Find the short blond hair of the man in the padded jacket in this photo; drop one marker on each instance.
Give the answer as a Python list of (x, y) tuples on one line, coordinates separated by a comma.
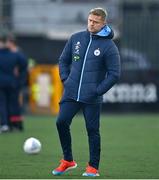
[(99, 12)]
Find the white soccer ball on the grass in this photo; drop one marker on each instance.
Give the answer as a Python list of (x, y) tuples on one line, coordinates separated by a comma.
[(32, 146)]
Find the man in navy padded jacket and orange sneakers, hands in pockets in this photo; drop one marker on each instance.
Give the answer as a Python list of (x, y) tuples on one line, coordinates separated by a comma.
[(89, 67)]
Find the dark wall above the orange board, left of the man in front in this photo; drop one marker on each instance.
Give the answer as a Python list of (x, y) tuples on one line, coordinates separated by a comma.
[(43, 50)]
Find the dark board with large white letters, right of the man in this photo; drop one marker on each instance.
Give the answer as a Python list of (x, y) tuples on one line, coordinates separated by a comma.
[(137, 91)]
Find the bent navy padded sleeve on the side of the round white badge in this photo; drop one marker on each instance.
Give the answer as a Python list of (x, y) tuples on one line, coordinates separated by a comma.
[(112, 62)]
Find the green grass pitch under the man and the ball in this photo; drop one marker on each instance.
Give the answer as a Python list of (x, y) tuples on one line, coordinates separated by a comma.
[(130, 148)]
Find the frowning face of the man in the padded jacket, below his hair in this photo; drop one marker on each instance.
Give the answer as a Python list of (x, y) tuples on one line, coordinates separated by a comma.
[(95, 23)]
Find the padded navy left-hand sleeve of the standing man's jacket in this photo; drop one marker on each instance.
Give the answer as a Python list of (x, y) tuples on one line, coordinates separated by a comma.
[(65, 60)]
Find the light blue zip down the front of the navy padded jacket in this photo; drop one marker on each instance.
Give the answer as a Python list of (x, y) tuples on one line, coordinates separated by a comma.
[(85, 57)]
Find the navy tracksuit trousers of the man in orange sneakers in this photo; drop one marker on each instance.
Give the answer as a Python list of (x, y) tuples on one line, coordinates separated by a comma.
[(91, 113)]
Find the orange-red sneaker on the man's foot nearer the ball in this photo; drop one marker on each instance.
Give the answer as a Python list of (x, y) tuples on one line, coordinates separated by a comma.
[(64, 166)]
